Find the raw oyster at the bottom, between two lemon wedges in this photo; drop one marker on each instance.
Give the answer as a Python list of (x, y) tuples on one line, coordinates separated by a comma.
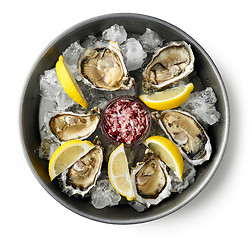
[(150, 180)]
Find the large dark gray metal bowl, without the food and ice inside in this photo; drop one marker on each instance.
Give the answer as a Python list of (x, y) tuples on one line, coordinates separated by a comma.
[(134, 23)]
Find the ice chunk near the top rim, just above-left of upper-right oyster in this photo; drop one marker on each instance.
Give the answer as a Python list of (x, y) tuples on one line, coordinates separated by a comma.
[(150, 41)]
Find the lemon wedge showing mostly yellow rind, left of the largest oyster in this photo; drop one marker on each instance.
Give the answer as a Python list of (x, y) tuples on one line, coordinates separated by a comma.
[(68, 82)]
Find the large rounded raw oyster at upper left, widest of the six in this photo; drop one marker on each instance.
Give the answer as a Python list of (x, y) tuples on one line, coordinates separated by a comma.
[(101, 66)]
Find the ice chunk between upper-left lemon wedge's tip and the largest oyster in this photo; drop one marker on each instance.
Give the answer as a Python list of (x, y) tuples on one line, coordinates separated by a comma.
[(72, 53)]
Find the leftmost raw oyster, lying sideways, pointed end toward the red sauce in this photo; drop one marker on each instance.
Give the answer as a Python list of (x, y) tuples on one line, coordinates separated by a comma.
[(65, 126)]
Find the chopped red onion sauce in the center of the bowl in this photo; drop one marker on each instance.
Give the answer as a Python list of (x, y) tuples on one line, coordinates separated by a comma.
[(125, 121)]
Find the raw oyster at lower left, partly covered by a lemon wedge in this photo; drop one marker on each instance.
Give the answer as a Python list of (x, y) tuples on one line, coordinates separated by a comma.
[(83, 174)]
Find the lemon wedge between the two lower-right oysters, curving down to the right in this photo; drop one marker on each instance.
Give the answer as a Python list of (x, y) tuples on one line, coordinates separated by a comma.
[(168, 152)]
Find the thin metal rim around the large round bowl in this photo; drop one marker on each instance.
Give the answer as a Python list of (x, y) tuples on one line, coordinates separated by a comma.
[(226, 109)]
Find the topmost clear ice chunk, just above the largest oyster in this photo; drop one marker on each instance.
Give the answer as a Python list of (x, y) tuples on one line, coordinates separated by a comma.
[(116, 33)]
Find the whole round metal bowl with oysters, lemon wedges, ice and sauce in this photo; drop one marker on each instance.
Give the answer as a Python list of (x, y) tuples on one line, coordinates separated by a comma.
[(124, 118)]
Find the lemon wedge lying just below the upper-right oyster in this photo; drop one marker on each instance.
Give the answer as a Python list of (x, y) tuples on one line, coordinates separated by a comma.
[(167, 99)]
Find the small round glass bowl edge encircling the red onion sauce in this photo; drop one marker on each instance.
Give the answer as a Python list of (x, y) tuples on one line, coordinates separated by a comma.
[(142, 137)]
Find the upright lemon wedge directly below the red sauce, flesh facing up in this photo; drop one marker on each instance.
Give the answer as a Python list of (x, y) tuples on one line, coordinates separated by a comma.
[(118, 172)]
